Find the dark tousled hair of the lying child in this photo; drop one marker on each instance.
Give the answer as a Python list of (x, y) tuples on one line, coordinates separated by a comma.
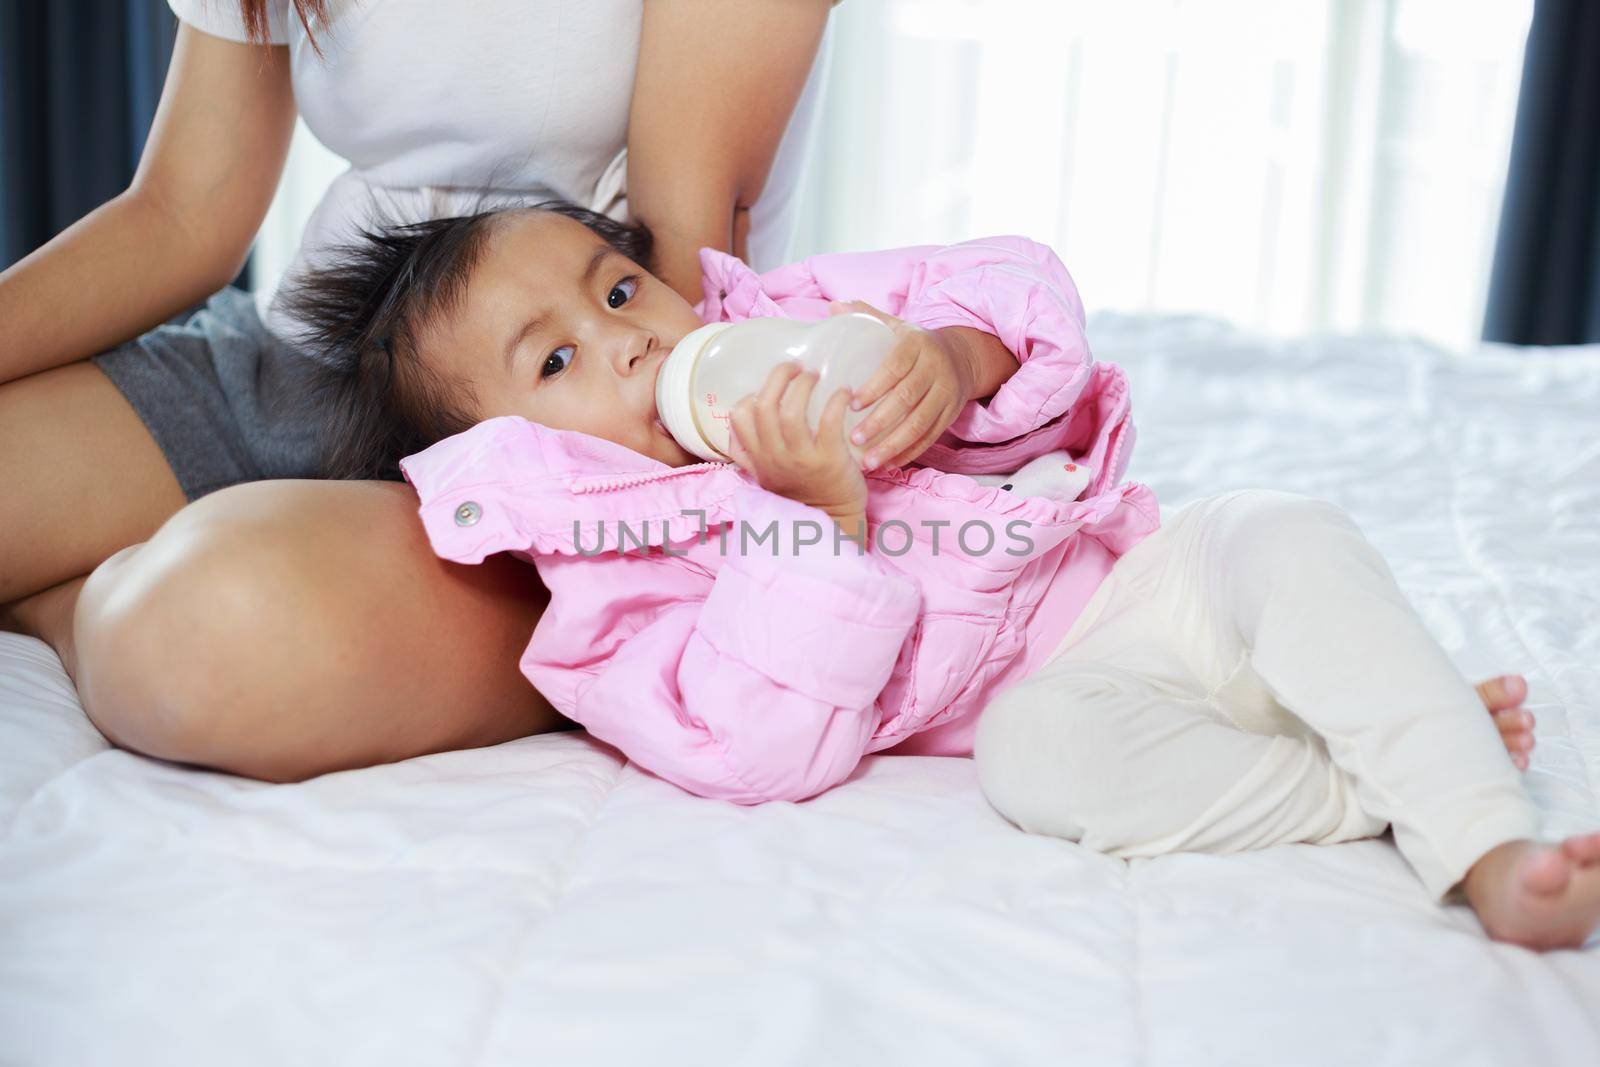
[(366, 308)]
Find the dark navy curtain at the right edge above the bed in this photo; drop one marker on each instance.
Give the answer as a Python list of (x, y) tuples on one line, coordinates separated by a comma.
[(1546, 282)]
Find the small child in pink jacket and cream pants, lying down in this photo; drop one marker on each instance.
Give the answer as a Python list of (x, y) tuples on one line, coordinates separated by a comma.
[(1244, 676)]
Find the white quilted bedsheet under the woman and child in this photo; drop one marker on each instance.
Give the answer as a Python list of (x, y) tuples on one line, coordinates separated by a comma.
[(545, 903)]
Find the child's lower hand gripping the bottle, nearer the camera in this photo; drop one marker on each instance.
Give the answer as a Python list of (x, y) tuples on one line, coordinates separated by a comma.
[(772, 441)]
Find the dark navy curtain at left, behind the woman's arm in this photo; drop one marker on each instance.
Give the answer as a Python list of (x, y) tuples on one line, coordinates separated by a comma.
[(79, 84)]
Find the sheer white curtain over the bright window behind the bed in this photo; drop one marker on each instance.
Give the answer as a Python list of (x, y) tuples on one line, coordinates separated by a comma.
[(1292, 166)]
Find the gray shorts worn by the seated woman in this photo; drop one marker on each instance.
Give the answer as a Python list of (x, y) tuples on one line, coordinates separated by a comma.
[(225, 399)]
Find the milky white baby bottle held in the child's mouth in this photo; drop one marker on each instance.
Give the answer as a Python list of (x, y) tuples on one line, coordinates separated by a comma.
[(721, 364)]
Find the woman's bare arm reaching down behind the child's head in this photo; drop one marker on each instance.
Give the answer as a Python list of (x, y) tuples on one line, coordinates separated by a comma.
[(706, 121)]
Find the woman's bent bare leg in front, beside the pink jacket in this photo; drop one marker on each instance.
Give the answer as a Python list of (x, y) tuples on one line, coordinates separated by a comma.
[(286, 629)]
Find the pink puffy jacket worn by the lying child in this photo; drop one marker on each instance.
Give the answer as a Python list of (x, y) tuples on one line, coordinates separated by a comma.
[(758, 663)]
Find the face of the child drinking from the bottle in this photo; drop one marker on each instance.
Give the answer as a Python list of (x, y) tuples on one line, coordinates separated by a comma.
[(561, 329)]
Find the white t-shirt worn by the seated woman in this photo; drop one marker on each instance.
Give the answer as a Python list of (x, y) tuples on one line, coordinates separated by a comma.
[(439, 105)]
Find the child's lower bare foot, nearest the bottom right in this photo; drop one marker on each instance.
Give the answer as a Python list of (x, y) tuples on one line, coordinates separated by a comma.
[(1540, 897)]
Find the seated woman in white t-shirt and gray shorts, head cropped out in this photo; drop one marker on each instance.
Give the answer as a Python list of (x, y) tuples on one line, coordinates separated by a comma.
[(289, 628)]
